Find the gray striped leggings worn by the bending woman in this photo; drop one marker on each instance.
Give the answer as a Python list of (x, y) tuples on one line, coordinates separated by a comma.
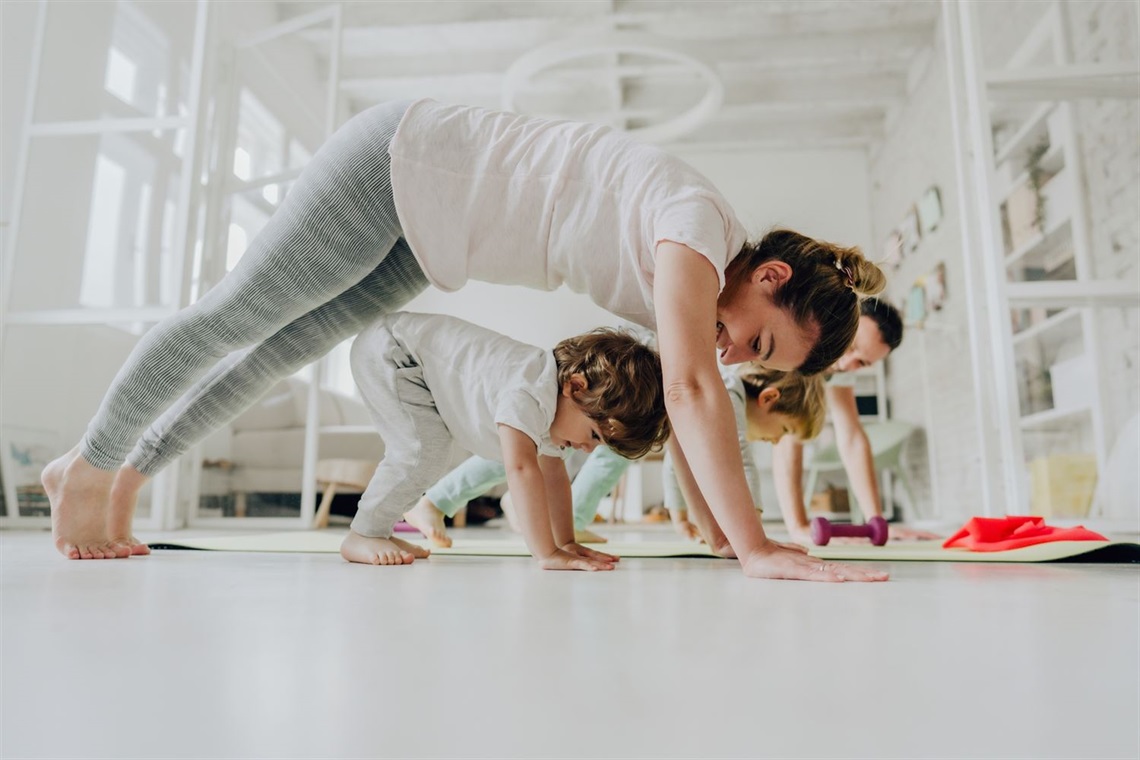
[(329, 263)]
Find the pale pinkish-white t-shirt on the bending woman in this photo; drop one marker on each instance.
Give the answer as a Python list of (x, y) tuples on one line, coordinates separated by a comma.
[(522, 201)]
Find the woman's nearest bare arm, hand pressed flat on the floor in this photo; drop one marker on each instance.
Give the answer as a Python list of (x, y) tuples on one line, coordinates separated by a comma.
[(685, 293)]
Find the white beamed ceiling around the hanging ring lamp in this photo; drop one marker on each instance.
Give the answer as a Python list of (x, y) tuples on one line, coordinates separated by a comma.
[(795, 73)]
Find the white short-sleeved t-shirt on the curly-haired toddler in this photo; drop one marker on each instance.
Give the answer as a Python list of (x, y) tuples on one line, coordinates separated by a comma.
[(481, 379)]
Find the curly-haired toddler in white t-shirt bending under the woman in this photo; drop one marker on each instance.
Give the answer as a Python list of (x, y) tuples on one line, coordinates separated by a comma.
[(428, 380)]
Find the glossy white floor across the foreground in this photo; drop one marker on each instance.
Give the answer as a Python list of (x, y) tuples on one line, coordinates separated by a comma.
[(194, 655)]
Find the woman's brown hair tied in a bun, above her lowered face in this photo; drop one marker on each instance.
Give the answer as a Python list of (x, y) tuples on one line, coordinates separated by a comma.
[(825, 289)]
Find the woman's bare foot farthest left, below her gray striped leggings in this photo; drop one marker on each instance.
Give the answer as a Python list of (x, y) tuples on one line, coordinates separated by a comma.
[(80, 495)]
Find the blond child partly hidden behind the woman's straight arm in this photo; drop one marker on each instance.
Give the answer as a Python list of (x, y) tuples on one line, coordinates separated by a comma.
[(770, 405)]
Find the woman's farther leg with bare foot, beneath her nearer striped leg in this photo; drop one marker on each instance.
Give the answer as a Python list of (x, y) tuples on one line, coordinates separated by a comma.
[(243, 378)]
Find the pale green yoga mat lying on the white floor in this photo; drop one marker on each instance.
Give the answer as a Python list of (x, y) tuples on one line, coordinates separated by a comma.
[(330, 543)]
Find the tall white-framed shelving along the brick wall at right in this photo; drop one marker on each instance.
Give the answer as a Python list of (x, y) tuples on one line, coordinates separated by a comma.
[(1023, 184)]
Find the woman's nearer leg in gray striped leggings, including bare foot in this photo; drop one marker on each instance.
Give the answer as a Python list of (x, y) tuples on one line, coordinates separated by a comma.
[(335, 227)]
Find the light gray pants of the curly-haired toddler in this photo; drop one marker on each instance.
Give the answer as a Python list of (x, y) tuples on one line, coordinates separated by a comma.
[(418, 445)]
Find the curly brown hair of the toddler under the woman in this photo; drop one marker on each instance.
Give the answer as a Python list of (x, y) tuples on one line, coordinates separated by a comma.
[(624, 389)]
